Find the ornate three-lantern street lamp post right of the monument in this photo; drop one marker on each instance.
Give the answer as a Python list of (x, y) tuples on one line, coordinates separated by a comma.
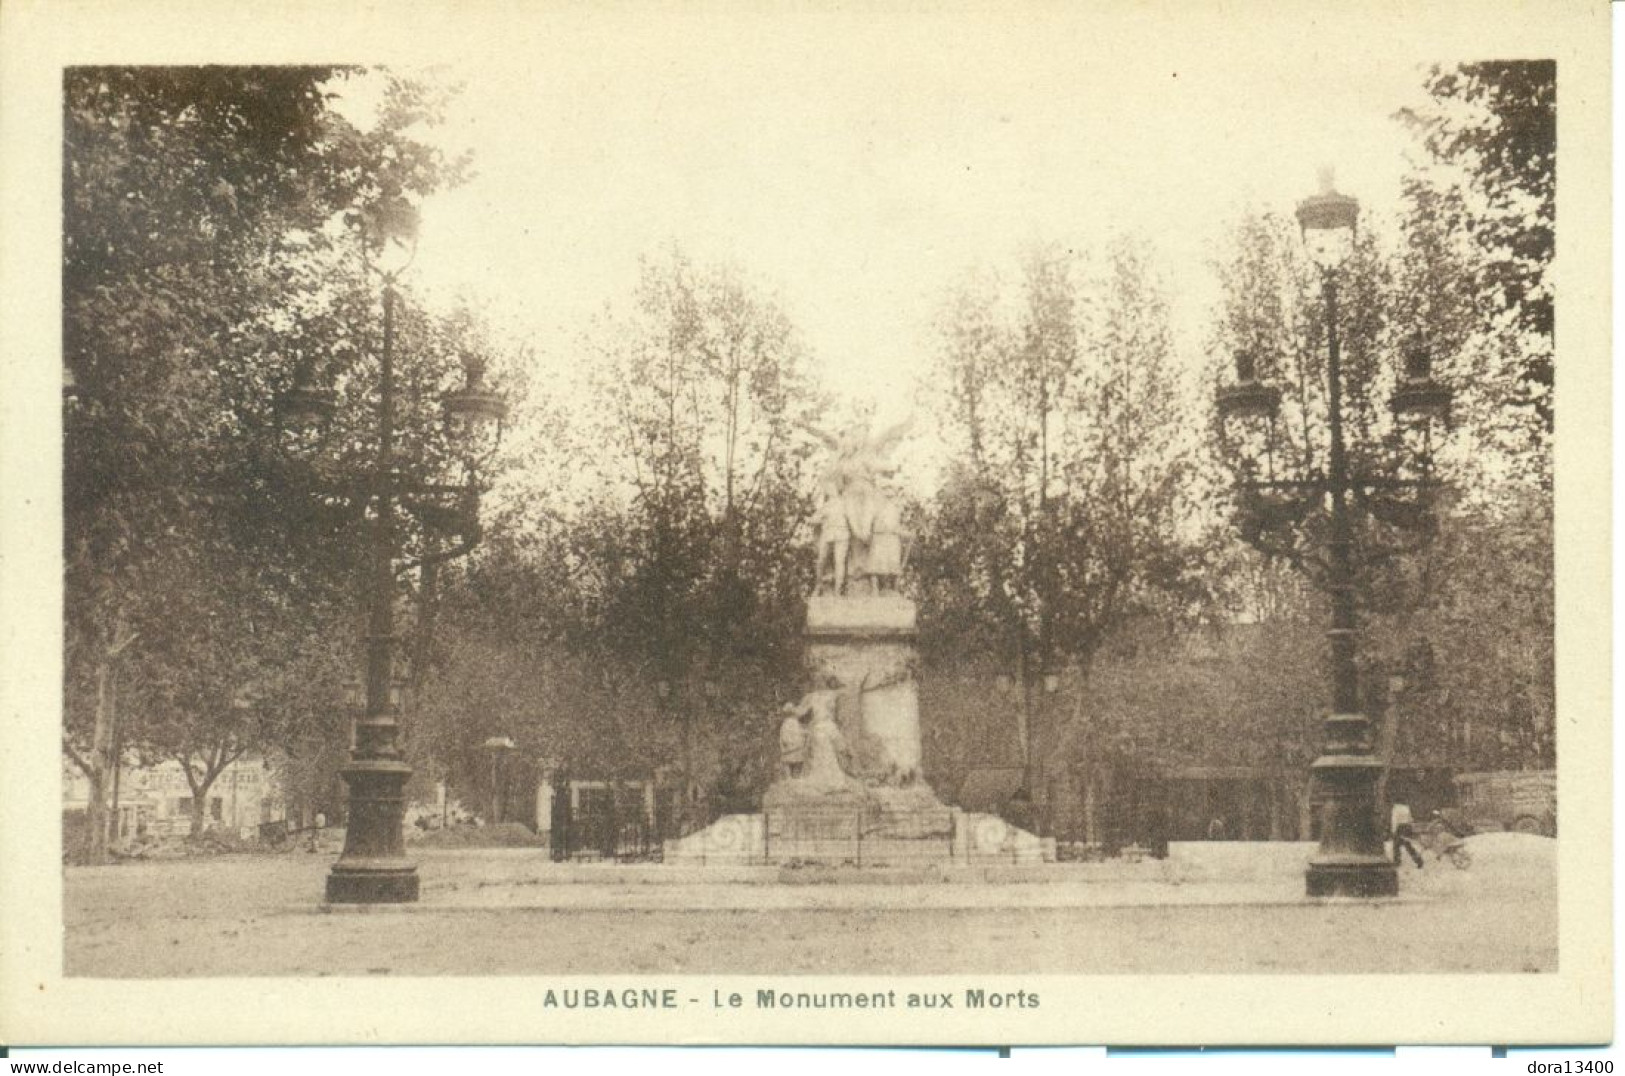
[(1351, 859)]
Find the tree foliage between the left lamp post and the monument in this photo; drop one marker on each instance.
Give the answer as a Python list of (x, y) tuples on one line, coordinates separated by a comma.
[(646, 602)]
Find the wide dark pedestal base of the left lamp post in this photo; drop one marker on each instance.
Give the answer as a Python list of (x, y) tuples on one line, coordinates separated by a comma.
[(375, 867)]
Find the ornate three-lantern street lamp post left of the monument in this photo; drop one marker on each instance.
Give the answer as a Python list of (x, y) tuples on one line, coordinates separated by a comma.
[(375, 867)]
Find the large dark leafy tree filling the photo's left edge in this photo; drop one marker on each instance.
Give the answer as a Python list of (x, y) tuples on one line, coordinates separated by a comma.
[(206, 259)]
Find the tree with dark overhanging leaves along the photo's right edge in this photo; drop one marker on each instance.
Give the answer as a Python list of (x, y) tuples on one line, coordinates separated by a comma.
[(1484, 193)]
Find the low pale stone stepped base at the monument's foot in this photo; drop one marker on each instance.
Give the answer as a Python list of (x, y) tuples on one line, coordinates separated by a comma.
[(875, 828)]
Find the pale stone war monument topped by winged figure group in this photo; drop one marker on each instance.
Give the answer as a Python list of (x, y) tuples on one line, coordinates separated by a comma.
[(849, 787)]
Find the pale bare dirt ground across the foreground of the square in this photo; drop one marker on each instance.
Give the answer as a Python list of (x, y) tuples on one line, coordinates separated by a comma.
[(1233, 909)]
